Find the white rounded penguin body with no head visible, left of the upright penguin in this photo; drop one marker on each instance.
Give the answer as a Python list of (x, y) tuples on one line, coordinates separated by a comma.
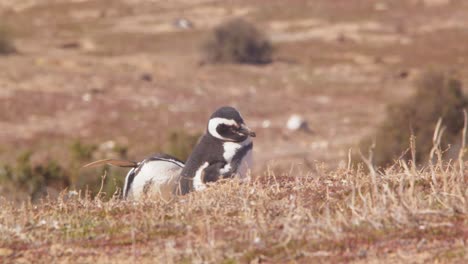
[(157, 174)]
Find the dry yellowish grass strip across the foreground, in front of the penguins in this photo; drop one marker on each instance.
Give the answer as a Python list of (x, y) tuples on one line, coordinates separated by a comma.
[(339, 215)]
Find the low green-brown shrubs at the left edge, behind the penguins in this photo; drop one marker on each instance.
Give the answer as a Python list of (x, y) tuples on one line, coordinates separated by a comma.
[(24, 178)]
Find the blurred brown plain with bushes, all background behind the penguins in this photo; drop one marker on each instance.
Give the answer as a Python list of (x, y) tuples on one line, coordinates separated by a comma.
[(87, 80)]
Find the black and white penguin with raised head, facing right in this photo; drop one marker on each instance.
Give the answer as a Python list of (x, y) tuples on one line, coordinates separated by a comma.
[(224, 151)]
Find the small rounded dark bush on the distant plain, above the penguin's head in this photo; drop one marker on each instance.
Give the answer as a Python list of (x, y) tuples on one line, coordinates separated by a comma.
[(238, 41)]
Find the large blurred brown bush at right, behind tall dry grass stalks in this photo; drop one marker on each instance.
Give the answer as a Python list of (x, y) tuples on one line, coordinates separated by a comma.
[(437, 96)]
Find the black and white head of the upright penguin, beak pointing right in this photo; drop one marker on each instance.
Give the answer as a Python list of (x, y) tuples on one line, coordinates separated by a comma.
[(227, 124)]
